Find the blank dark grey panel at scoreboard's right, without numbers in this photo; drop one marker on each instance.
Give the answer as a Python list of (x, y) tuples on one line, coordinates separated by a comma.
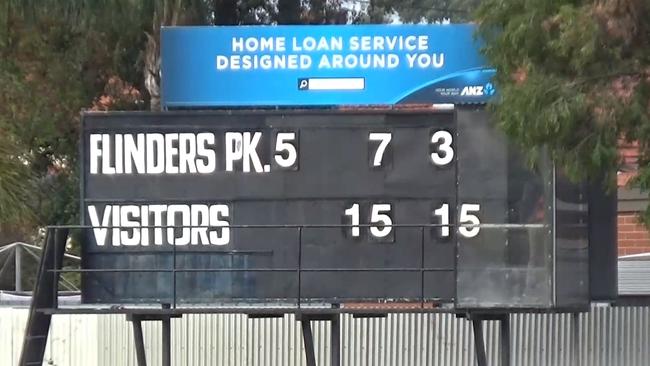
[(510, 264)]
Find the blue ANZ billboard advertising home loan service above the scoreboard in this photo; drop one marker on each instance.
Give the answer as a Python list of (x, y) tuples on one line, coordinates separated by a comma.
[(322, 65)]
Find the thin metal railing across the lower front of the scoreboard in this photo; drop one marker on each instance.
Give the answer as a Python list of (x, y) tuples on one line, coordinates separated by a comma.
[(298, 302)]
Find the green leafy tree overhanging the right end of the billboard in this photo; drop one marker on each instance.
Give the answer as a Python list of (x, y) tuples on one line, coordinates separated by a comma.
[(574, 77)]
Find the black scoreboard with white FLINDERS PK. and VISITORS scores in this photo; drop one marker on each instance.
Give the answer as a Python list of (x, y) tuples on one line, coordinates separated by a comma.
[(323, 205)]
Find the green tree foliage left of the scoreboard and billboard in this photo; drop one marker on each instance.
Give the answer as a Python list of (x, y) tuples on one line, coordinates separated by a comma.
[(54, 63)]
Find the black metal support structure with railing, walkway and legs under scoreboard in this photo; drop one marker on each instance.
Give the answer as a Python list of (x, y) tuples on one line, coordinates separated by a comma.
[(45, 304)]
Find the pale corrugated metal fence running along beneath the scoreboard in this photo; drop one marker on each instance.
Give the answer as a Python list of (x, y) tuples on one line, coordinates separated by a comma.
[(608, 336)]
